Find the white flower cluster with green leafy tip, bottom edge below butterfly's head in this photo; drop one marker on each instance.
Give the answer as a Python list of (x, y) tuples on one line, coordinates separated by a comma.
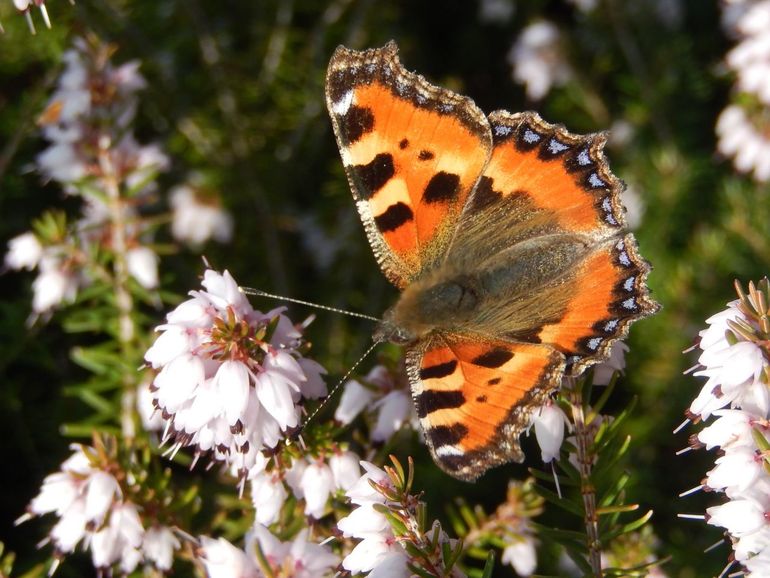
[(384, 519)]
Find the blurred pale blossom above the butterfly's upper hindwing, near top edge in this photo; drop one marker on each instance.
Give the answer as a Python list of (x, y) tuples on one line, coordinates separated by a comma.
[(538, 60)]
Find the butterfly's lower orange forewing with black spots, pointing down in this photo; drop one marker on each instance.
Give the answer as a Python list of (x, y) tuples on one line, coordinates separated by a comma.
[(474, 397)]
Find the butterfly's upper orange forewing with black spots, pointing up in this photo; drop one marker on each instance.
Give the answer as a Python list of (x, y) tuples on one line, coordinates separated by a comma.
[(413, 153)]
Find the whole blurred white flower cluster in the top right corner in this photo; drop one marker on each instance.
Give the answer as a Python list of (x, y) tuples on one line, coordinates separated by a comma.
[(742, 126)]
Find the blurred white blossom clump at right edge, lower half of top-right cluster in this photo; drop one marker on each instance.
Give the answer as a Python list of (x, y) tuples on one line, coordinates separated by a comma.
[(740, 137)]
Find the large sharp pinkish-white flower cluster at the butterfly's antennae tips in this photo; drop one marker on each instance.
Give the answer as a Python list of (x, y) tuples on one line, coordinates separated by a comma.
[(231, 380)]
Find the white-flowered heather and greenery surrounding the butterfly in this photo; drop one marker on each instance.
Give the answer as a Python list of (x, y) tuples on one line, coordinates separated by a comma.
[(157, 159)]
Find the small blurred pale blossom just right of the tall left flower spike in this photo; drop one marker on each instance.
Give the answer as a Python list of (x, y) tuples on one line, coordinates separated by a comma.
[(194, 222)]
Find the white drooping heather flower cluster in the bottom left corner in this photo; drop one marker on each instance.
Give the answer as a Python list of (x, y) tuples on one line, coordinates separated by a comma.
[(93, 510)]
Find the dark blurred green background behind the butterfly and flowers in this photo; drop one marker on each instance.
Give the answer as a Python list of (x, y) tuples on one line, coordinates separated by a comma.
[(235, 91)]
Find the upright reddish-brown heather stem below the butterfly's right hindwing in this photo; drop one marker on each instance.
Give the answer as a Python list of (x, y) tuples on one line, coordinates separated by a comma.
[(583, 439)]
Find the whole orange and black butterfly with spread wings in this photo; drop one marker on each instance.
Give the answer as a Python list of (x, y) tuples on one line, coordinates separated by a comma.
[(506, 236)]
